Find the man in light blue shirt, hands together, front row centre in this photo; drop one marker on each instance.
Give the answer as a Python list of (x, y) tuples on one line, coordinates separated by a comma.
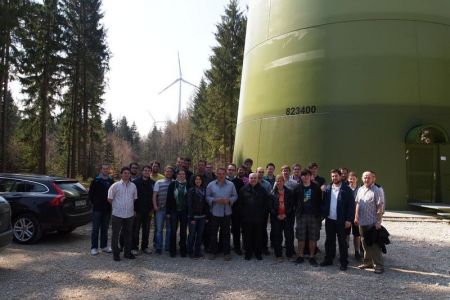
[(220, 194)]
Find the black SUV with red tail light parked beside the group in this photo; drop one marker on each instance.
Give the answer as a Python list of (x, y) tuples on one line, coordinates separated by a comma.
[(44, 203)]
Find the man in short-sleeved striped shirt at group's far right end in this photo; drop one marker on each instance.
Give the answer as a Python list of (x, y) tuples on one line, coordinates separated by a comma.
[(369, 211)]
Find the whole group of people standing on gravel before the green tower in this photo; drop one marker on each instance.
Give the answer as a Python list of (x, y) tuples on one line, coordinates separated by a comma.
[(205, 208)]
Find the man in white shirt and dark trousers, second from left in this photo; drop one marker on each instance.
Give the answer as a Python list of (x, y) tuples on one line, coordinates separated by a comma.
[(122, 195)]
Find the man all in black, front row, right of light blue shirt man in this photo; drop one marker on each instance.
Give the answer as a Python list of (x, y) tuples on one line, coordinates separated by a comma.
[(254, 203)]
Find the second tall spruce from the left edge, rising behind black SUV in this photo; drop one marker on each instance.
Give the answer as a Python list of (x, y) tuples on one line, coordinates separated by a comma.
[(41, 72)]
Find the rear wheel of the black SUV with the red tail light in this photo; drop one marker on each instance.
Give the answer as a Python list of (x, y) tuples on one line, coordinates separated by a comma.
[(26, 229)]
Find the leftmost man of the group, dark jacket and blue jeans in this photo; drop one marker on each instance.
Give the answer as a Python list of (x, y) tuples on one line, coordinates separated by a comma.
[(101, 213)]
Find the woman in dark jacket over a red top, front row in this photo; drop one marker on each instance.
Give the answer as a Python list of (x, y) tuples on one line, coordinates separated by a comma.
[(282, 212)]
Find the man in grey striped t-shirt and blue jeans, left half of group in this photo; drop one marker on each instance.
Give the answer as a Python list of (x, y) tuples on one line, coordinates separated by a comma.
[(159, 205)]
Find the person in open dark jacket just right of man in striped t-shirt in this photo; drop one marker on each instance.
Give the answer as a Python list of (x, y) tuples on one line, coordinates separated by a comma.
[(176, 210)]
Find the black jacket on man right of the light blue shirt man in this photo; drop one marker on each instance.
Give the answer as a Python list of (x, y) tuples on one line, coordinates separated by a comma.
[(254, 203)]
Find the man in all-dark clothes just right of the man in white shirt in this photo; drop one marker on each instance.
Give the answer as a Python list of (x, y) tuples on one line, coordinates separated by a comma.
[(143, 207)]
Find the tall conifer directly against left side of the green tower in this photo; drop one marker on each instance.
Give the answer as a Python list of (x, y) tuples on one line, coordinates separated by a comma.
[(213, 113)]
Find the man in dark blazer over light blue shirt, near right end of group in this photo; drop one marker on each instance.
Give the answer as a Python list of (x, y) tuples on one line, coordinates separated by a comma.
[(338, 210)]
